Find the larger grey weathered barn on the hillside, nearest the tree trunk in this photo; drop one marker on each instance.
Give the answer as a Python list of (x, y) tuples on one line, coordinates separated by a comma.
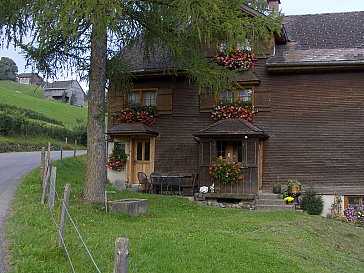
[(66, 91)]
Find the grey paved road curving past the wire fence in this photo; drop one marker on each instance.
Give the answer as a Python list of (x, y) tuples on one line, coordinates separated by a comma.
[(13, 167)]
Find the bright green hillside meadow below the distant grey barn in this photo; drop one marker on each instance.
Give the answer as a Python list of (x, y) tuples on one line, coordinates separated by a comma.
[(29, 97)]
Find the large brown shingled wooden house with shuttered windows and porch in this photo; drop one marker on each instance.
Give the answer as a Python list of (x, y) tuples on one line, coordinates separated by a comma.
[(309, 101)]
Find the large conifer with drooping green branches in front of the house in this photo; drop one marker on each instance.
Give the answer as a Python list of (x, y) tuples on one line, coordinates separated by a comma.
[(83, 35)]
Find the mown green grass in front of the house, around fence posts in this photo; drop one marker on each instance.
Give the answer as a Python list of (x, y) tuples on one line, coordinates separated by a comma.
[(175, 235)]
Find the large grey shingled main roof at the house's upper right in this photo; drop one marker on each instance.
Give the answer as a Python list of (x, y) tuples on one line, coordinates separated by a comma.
[(322, 39)]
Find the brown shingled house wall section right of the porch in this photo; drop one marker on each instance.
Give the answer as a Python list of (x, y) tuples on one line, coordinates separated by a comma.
[(316, 129)]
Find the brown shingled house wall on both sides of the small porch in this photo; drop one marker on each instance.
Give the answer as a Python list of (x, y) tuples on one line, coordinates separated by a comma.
[(315, 123)]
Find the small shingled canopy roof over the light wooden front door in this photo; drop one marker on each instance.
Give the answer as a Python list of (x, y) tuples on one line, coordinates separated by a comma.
[(127, 129)]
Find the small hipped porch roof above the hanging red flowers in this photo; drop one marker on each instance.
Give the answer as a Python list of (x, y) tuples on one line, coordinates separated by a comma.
[(232, 127)]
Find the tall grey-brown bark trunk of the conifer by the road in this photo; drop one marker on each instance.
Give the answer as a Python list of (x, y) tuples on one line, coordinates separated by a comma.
[(95, 179)]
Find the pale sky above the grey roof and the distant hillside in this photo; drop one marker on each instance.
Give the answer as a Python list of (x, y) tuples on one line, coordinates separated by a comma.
[(288, 7)]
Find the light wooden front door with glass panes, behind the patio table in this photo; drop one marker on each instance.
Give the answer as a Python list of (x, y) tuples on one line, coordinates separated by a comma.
[(143, 157)]
